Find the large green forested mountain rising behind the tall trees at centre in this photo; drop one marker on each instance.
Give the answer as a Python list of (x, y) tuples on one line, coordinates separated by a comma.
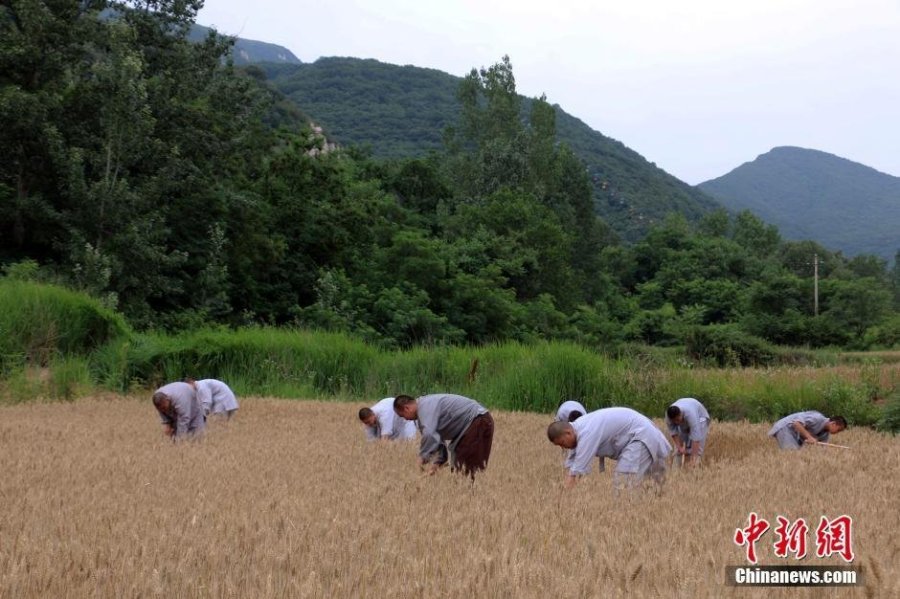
[(401, 112)]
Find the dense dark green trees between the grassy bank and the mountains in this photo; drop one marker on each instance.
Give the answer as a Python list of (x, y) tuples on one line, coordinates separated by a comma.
[(149, 171)]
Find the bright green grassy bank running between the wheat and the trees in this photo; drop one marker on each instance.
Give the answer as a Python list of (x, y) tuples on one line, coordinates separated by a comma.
[(59, 344)]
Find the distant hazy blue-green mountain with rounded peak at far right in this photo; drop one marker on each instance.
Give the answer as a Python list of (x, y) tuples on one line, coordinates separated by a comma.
[(810, 194)]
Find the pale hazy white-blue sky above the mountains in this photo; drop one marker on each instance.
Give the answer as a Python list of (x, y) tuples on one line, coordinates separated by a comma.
[(696, 86)]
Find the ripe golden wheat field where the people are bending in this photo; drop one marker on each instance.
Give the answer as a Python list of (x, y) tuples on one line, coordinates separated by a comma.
[(288, 500)]
